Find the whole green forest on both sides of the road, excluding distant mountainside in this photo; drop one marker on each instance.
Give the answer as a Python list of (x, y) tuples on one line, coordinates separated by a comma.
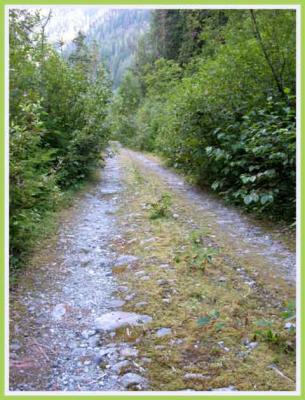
[(211, 91)]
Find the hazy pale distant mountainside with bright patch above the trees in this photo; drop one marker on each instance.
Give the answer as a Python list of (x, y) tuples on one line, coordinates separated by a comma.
[(116, 31)]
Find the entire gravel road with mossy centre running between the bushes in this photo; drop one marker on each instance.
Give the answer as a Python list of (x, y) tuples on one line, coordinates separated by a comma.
[(151, 284)]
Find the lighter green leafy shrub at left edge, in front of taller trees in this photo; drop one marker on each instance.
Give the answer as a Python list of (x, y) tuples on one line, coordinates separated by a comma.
[(33, 188)]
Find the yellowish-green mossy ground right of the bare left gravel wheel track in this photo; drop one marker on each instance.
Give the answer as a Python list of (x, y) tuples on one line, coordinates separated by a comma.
[(211, 311)]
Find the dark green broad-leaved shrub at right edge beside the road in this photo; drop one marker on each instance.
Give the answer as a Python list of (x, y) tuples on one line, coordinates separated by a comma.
[(254, 161)]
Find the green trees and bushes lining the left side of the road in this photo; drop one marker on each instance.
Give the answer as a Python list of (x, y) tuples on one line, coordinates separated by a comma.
[(57, 125)]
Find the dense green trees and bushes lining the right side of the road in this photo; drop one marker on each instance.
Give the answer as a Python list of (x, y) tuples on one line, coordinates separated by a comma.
[(213, 91)]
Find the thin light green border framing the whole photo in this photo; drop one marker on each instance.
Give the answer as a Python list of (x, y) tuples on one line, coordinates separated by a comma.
[(301, 193)]
